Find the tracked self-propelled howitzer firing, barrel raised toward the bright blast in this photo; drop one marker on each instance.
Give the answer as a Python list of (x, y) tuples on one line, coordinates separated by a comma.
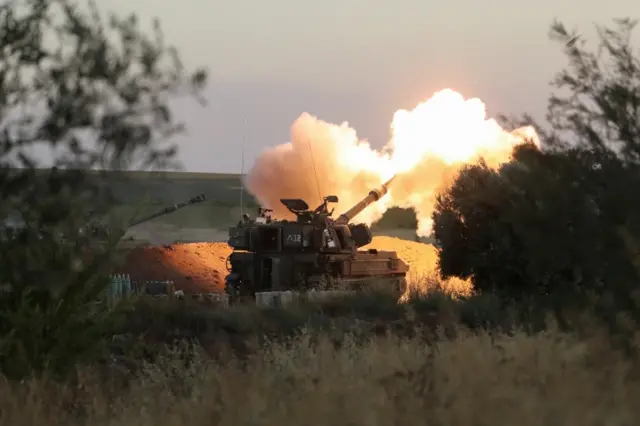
[(314, 252)]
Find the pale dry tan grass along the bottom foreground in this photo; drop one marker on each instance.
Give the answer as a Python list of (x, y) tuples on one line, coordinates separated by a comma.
[(476, 380)]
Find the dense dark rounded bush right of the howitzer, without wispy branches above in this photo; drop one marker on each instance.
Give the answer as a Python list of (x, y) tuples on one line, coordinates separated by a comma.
[(540, 225)]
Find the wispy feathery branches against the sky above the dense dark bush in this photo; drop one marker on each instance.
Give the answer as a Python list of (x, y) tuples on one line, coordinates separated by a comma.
[(597, 105)]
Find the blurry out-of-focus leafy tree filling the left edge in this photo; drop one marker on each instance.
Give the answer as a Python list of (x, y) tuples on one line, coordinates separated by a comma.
[(90, 93)]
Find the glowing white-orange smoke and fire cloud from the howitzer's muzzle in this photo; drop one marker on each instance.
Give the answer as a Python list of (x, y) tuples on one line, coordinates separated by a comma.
[(429, 146)]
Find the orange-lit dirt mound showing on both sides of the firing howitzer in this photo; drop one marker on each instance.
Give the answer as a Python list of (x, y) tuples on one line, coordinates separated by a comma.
[(201, 267)]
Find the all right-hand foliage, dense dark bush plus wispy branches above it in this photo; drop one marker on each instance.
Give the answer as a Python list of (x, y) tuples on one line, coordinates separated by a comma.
[(548, 224)]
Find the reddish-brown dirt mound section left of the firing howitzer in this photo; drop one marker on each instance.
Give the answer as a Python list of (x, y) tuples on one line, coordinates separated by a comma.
[(193, 267)]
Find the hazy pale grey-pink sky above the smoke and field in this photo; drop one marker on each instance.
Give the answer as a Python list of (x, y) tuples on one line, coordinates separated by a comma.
[(356, 61)]
